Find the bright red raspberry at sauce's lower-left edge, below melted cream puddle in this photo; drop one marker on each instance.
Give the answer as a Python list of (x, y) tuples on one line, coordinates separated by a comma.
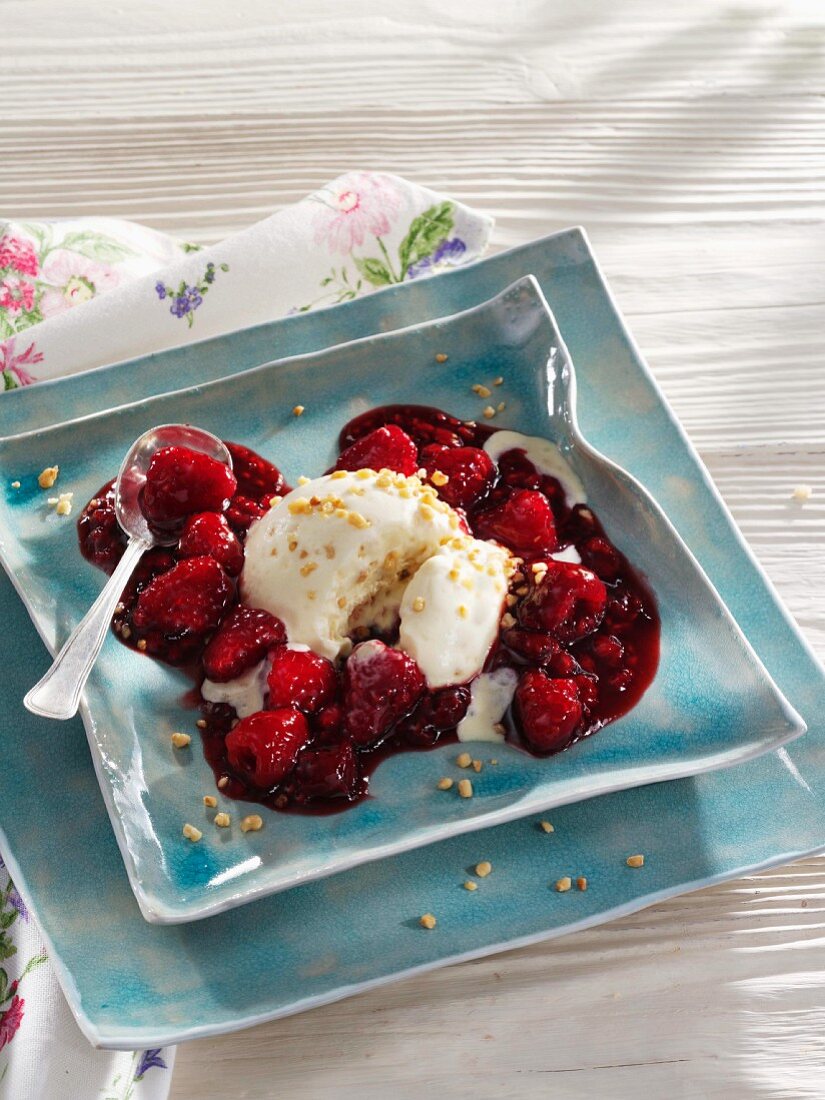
[(265, 746)]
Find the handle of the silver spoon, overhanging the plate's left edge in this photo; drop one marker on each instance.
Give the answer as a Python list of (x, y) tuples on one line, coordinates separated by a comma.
[(58, 695)]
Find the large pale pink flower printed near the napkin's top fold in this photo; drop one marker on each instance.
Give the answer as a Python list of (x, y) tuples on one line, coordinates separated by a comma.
[(354, 207)]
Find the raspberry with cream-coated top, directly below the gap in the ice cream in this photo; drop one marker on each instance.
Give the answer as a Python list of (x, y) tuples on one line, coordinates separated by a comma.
[(381, 687)]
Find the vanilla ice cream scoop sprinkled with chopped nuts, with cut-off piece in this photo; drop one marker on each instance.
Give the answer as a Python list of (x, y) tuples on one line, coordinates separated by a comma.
[(366, 548)]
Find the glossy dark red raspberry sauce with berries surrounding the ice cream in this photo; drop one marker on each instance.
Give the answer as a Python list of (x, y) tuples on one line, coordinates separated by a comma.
[(584, 640)]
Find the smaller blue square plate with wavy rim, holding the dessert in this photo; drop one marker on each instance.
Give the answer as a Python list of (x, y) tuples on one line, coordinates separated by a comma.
[(712, 703)]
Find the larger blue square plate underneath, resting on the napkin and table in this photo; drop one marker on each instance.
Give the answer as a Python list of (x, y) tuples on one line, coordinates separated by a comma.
[(133, 984)]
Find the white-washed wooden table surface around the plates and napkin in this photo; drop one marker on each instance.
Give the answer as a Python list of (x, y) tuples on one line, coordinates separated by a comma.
[(688, 139)]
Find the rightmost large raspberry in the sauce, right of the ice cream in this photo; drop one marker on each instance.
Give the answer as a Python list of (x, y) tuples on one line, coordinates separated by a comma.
[(569, 602)]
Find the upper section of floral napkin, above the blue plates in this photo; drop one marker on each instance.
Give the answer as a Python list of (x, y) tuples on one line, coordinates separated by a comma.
[(144, 292)]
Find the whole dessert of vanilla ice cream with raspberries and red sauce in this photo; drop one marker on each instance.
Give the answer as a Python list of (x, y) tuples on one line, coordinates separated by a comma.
[(444, 581)]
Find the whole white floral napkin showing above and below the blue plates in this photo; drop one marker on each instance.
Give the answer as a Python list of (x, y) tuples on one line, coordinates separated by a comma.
[(142, 292)]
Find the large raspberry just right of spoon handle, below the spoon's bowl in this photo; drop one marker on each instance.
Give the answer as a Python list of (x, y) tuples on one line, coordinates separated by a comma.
[(190, 600)]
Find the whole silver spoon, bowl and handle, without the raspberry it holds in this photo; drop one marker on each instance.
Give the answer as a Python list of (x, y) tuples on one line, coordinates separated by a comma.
[(58, 695)]
